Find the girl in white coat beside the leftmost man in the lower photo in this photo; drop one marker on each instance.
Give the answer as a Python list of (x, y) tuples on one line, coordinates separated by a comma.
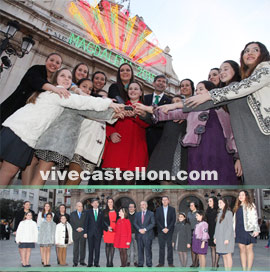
[(63, 238)]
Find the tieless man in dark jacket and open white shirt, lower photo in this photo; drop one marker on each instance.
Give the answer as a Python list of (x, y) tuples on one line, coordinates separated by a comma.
[(165, 218)]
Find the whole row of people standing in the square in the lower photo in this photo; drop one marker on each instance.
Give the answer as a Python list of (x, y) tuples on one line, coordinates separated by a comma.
[(133, 232)]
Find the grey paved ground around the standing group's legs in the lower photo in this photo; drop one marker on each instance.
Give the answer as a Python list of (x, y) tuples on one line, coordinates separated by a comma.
[(9, 255)]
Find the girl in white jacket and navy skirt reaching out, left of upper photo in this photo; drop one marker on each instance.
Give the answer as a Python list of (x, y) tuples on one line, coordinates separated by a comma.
[(18, 137)]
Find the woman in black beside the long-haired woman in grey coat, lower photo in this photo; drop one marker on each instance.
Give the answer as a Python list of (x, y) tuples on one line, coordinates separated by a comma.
[(211, 217)]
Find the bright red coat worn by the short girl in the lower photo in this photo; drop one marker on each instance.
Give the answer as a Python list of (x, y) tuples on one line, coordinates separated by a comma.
[(122, 233)]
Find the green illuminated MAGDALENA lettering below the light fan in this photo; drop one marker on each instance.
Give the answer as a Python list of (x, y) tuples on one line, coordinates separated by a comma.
[(103, 53)]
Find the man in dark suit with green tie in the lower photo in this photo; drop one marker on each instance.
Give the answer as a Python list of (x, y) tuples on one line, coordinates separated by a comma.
[(93, 230)]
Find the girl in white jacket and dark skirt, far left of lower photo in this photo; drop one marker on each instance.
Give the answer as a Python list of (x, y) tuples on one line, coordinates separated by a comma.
[(26, 237)]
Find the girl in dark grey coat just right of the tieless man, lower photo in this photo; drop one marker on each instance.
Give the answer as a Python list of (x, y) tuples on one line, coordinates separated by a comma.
[(182, 238)]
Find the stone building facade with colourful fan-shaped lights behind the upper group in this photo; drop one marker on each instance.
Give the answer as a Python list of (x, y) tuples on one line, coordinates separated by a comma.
[(100, 33)]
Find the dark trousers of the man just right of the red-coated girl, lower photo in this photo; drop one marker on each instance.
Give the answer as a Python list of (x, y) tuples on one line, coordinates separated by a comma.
[(144, 243)]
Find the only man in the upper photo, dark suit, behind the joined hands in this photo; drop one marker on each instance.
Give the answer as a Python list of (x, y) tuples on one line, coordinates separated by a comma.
[(154, 132)]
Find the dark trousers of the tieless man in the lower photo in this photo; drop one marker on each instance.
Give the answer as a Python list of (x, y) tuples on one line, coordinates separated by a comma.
[(164, 239)]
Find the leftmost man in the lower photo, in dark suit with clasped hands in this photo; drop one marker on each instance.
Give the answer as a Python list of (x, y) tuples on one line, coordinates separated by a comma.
[(77, 222)]
